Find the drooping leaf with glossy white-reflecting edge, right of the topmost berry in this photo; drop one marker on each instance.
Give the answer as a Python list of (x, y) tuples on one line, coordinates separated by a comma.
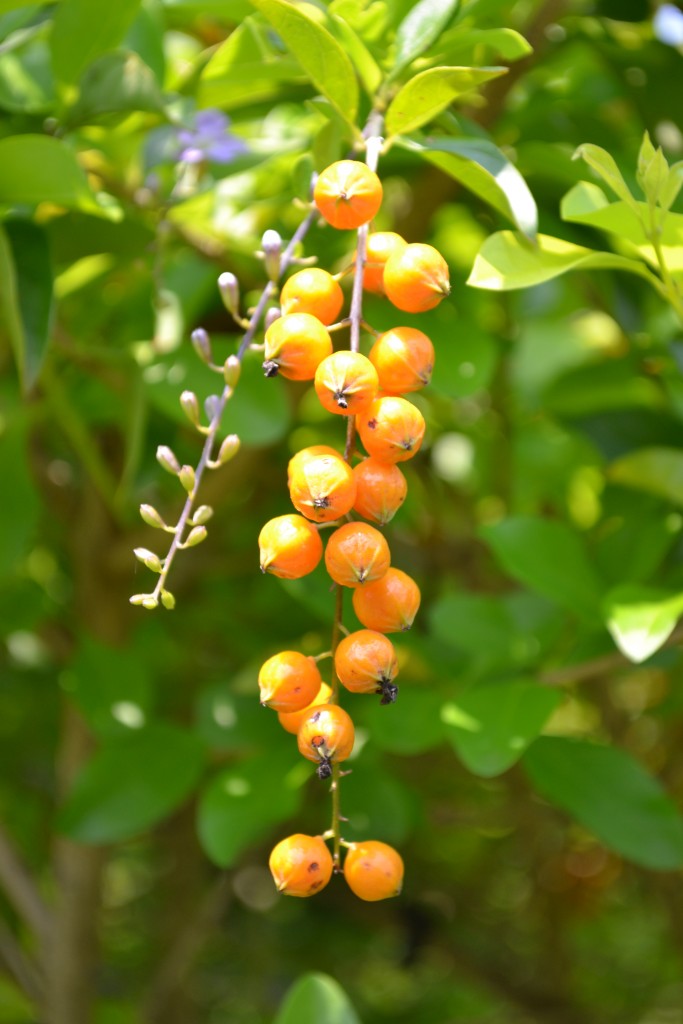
[(483, 168)]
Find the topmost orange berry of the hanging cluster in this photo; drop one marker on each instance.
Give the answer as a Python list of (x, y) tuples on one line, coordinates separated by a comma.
[(348, 194)]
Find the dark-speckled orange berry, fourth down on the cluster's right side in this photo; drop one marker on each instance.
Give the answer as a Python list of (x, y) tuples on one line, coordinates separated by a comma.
[(392, 430)]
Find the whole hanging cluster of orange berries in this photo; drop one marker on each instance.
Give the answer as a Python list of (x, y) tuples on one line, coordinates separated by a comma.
[(325, 488)]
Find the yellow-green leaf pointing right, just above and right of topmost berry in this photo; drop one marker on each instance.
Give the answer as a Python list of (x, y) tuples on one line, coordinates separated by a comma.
[(425, 96)]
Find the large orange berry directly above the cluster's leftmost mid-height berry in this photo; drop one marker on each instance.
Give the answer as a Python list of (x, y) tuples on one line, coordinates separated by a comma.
[(323, 489)]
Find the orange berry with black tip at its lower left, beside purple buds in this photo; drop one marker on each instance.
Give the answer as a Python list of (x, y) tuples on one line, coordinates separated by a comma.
[(294, 347)]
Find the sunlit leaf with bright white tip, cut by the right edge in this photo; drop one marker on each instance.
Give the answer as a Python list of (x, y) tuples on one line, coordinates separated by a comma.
[(642, 619)]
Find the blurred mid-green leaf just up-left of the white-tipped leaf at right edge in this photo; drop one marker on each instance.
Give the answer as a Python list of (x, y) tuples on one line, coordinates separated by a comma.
[(549, 558)]
